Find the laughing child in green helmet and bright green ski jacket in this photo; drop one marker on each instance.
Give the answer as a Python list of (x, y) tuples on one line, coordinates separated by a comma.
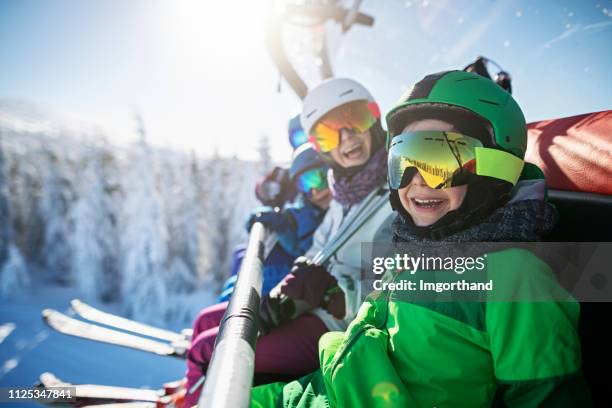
[(456, 171)]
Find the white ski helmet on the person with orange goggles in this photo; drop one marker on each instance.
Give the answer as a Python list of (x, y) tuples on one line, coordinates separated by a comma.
[(327, 96)]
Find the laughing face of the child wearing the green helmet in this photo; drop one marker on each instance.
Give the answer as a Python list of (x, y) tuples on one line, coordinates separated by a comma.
[(425, 204)]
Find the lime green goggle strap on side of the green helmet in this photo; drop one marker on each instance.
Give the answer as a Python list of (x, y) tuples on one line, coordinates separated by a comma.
[(498, 164)]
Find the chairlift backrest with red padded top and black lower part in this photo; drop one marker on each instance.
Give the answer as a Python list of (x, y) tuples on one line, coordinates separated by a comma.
[(575, 154)]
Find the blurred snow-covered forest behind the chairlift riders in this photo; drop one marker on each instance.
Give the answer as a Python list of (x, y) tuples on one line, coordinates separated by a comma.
[(148, 228)]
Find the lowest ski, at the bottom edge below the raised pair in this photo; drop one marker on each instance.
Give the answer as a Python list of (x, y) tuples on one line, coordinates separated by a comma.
[(94, 394)]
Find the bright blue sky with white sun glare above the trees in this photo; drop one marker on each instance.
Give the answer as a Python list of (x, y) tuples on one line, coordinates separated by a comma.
[(199, 72)]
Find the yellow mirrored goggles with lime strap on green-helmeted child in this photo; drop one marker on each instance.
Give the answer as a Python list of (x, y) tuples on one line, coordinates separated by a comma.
[(444, 159)]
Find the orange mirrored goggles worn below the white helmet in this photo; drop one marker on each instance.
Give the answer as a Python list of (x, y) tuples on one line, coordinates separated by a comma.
[(358, 116)]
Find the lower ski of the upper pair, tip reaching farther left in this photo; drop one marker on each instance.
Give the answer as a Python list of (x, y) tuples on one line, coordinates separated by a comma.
[(74, 327)]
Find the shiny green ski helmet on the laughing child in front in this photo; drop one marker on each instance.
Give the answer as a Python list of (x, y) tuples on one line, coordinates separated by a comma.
[(479, 101)]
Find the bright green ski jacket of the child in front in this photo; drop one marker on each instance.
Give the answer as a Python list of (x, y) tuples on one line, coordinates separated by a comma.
[(402, 353)]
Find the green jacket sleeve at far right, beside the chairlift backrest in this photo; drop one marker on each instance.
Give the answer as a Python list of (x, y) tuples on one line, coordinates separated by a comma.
[(534, 340)]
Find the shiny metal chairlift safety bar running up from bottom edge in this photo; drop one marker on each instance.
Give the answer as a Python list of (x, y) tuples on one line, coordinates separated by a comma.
[(230, 373)]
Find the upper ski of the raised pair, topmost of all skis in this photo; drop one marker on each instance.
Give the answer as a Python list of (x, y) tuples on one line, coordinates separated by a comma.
[(92, 314)]
